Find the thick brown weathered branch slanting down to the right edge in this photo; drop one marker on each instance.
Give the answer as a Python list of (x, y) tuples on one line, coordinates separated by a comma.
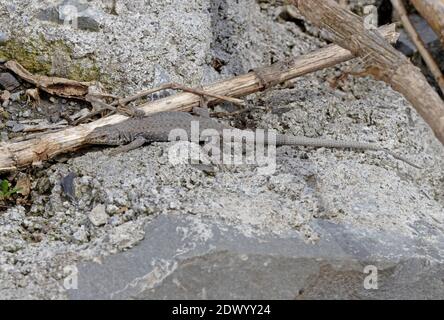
[(382, 60)]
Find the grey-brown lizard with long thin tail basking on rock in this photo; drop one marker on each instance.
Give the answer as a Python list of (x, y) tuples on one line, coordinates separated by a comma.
[(137, 131)]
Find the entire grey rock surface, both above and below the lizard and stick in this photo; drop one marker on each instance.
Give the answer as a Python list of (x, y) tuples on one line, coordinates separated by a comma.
[(309, 230)]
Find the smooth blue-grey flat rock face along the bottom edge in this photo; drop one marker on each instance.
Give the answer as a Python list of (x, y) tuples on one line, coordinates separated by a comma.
[(189, 258)]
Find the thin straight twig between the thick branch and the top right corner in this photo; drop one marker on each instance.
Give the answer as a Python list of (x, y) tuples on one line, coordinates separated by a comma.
[(428, 59)]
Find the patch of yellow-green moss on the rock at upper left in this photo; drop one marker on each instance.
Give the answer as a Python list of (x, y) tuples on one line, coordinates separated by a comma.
[(51, 58)]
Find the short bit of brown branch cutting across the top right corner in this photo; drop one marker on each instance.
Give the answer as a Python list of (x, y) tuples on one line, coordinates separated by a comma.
[(433, 12)]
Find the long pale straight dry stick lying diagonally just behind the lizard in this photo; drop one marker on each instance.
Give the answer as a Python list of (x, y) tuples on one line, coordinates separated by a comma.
[(15, 155)]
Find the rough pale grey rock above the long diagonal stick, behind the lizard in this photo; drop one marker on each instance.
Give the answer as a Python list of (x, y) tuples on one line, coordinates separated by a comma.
[(178, 37)]
